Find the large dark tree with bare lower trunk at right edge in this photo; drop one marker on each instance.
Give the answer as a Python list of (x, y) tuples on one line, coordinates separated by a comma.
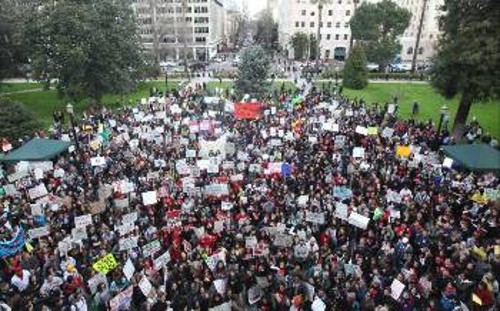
[(467, 60)]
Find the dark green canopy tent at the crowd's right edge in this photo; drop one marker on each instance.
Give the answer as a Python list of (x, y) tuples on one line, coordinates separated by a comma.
[(475, 157)]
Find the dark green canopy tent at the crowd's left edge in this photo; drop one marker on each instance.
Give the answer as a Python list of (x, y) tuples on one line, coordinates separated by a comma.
[(37, 149)]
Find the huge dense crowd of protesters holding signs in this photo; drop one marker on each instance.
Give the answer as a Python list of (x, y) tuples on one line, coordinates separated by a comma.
[(318, 202)]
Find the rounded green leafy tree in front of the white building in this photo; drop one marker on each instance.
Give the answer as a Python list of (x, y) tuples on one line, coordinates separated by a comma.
[(378, 27)]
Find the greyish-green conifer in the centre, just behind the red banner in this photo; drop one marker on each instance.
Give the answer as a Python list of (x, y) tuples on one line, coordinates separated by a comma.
[(252, 72)]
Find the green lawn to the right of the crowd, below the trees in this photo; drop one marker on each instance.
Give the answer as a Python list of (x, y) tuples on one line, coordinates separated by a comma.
[(487, 113)]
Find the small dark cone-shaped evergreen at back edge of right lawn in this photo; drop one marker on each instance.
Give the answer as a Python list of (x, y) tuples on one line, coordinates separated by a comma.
[(355, 72)]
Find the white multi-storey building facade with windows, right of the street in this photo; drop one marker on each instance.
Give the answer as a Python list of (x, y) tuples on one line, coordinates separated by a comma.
[(301, 16)]
